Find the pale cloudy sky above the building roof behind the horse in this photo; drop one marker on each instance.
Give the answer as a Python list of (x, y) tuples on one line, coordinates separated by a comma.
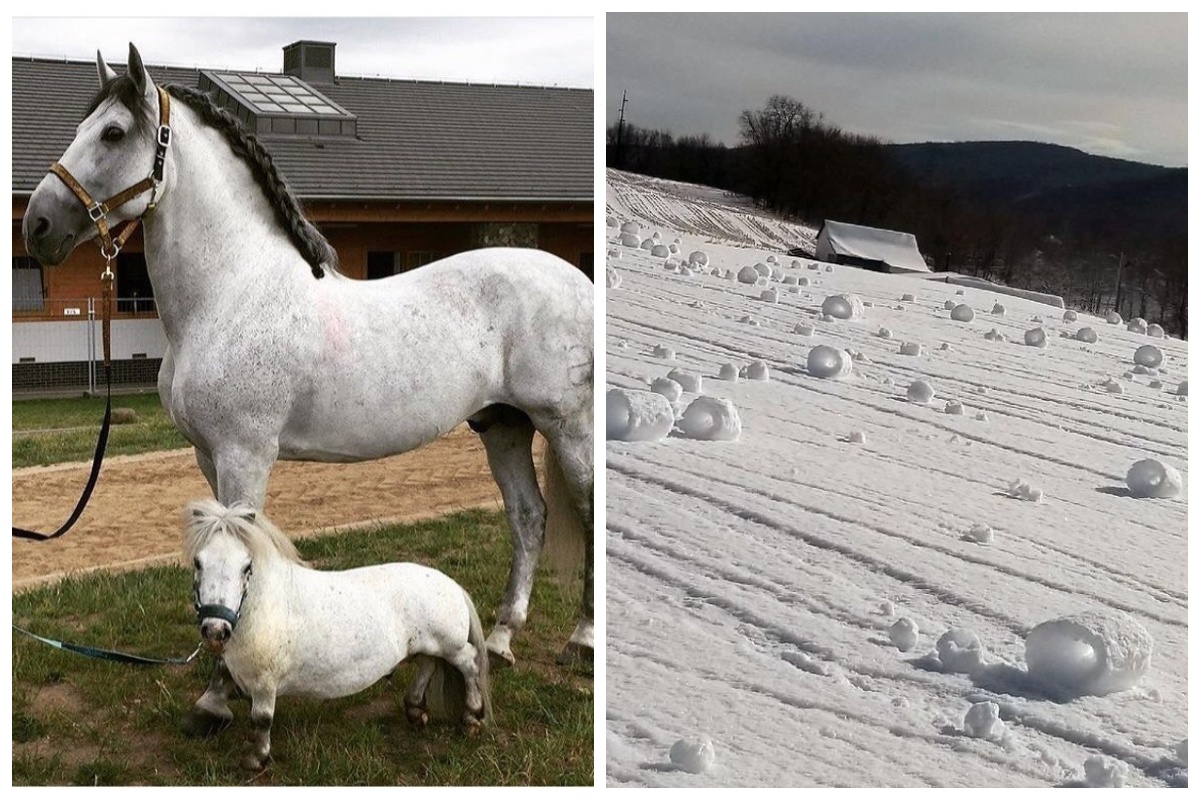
[(550, 52)]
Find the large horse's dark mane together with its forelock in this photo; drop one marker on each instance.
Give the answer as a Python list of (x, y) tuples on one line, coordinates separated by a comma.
[(308, 240)]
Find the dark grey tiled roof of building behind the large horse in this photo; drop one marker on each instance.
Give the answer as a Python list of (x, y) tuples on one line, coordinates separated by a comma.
[(417, 141)]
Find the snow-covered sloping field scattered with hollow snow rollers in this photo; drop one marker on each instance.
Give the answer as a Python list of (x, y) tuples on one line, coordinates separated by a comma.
[(779, 600)]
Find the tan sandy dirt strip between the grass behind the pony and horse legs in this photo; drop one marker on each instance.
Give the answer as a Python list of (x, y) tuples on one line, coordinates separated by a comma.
[(134, 518)]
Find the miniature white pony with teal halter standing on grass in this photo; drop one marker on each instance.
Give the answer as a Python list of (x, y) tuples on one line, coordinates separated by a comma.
[(285, 629)]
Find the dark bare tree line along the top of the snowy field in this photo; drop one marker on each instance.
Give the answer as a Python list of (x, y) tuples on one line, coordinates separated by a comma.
[(794, 163)]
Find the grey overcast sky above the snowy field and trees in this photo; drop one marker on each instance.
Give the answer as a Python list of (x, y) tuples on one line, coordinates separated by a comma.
[(1108, 85)]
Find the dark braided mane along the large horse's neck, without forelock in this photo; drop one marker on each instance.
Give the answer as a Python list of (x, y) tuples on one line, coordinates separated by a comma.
[(315, 249)]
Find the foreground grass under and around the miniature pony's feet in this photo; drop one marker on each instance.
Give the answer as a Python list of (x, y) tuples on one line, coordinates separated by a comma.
[(85, 723)]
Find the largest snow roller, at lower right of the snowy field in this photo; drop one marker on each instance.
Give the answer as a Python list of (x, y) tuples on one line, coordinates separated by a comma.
[(1093, 653)]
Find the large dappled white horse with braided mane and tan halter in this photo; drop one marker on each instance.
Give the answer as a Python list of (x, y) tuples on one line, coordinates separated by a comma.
[(274, 354)]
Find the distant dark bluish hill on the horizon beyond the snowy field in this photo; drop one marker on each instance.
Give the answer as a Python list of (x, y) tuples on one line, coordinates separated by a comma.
[(1061, 187)]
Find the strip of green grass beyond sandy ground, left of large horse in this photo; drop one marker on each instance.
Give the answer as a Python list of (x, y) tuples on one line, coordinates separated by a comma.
[(65, 430)]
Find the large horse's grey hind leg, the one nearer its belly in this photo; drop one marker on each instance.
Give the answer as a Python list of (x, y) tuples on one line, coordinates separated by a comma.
[(508, 437)]
